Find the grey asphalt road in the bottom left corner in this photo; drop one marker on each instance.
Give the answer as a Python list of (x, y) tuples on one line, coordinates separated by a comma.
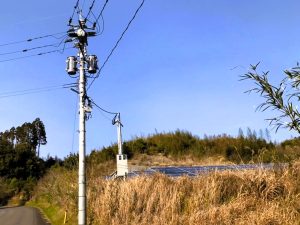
[(21, 216)]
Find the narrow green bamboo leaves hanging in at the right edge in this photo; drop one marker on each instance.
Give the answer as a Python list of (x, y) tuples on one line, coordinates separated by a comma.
[(282, 98)]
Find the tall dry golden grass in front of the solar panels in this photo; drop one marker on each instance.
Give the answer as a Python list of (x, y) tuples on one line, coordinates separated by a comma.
[(244, 197)]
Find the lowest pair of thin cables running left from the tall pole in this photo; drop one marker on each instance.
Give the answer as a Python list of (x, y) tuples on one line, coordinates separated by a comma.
[(35, 90)]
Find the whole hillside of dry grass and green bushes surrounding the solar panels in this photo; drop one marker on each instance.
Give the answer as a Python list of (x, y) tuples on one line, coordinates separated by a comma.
[(216, 198)]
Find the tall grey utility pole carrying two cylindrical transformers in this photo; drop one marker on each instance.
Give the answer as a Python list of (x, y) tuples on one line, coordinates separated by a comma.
[(80, 34)]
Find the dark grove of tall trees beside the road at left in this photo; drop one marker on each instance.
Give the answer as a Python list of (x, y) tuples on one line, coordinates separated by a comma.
[(20, 164)]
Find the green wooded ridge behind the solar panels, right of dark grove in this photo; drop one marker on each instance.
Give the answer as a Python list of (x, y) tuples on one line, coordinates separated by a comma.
[(182, 144)]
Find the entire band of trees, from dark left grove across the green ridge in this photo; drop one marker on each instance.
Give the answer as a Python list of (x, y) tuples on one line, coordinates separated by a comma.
[(21, 166)]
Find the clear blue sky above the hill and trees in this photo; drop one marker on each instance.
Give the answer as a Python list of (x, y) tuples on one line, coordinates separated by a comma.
[(172, 70)]
